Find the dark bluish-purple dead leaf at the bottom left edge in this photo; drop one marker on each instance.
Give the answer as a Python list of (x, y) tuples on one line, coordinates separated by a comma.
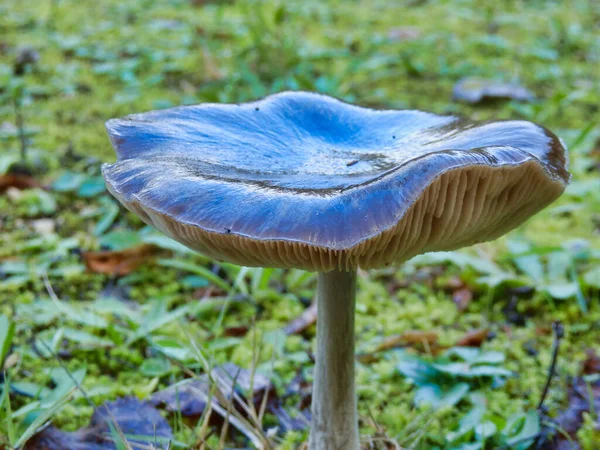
[(133, 417)]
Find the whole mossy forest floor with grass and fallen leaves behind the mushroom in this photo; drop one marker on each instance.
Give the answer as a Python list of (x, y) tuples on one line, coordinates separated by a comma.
[(97, 309)]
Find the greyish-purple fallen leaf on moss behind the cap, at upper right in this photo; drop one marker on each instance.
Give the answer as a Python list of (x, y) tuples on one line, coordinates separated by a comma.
[(476, 90)]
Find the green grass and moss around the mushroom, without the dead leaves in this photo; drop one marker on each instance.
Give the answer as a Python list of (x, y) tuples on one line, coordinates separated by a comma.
[(101, 59)]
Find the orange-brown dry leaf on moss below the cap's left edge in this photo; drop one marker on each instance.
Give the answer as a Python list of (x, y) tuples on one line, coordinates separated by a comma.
[(121, 262)]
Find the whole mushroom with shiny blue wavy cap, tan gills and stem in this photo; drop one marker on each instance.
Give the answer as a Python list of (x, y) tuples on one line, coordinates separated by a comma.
[(301, 180)]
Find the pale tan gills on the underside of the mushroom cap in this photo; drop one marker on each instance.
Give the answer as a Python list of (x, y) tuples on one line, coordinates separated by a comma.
[(458, 208)]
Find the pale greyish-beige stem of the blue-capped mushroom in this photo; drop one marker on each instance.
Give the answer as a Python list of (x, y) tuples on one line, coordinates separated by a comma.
[(334, 423)]
